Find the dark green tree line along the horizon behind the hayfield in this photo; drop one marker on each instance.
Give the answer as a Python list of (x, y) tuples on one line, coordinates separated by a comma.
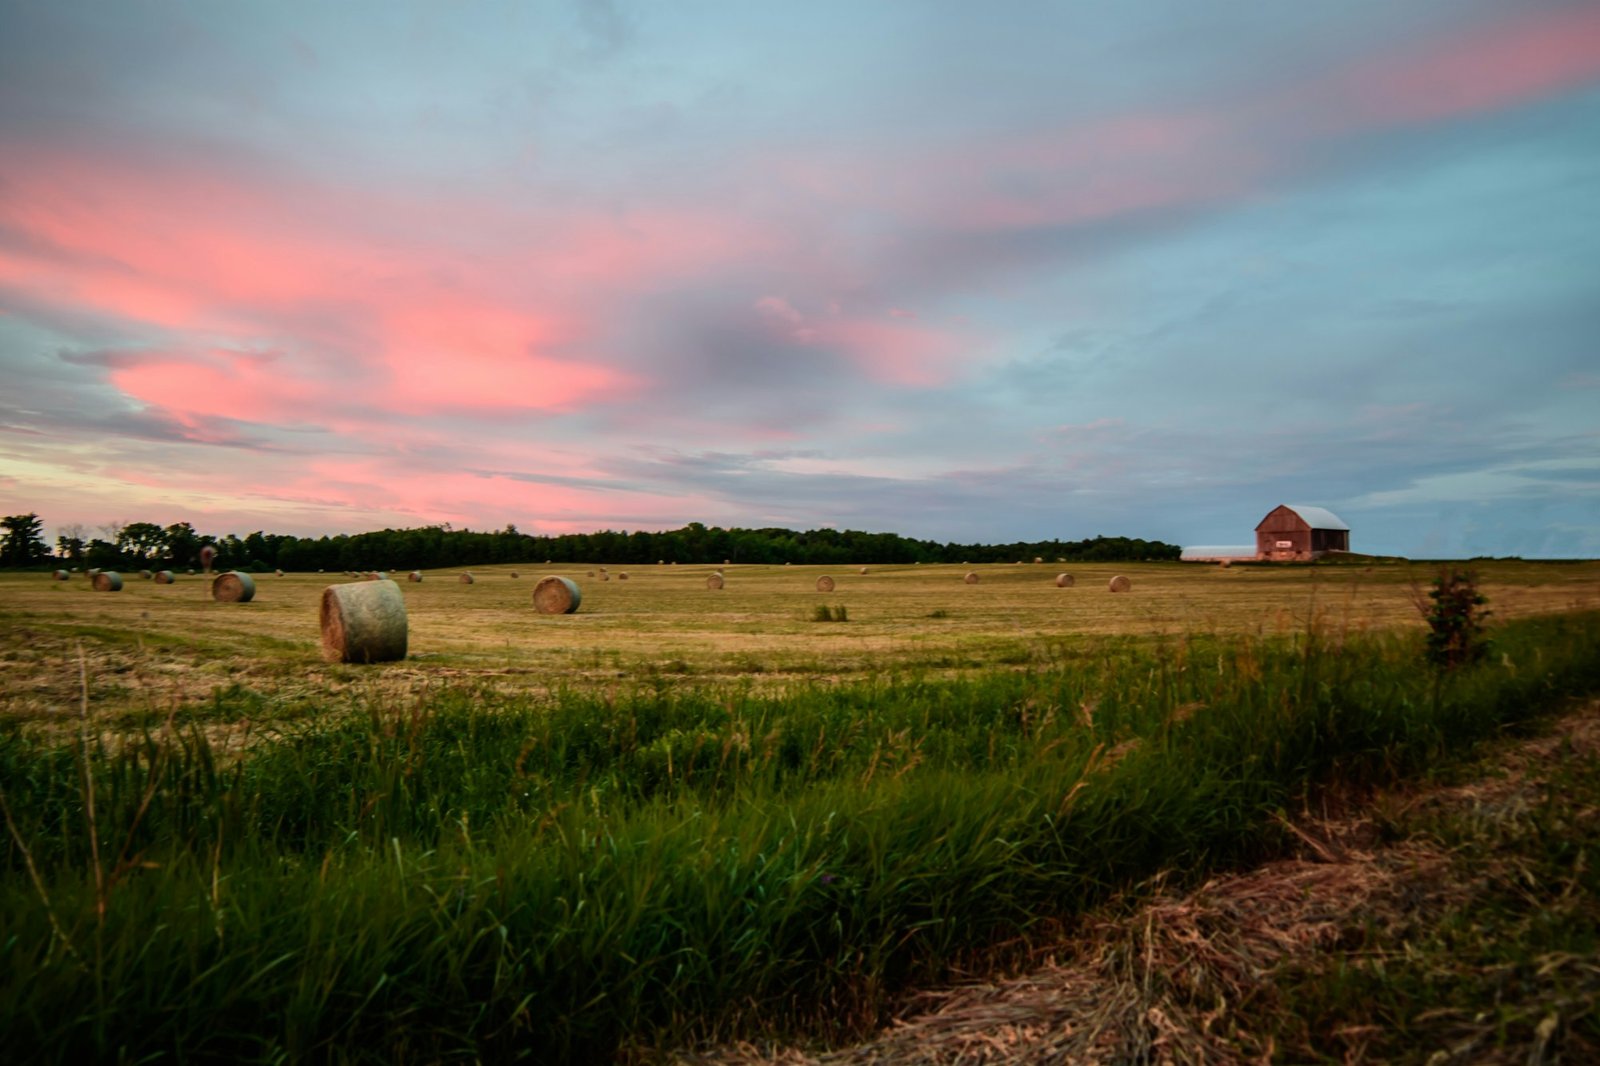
[(138, 545)]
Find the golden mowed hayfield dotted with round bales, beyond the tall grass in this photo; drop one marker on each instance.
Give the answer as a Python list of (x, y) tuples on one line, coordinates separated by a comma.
[(151, 649)]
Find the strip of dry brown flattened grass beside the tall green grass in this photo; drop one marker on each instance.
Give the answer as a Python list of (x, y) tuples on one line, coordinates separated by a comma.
[(1196, 977)]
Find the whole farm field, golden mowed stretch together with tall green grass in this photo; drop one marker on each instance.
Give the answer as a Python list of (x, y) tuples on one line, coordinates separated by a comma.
[(681, 816)]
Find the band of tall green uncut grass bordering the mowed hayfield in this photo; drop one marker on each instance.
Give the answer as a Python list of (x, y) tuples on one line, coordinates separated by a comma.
[(482, 876)]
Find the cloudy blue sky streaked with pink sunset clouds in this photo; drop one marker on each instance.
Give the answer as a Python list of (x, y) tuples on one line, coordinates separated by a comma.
[(958, 271)]
